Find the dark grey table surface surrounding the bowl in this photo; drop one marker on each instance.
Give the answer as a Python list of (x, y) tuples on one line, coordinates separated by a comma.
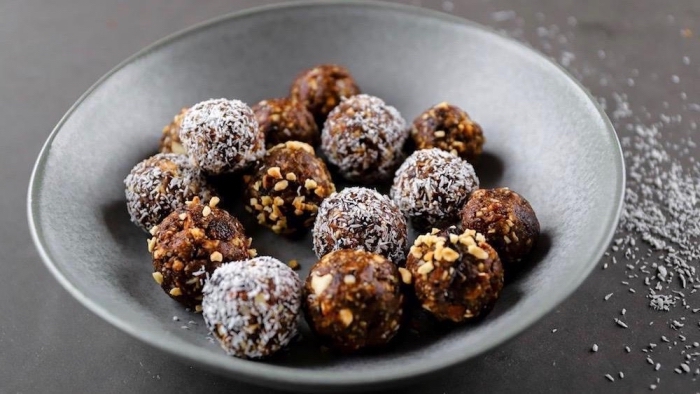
[(639, 57)]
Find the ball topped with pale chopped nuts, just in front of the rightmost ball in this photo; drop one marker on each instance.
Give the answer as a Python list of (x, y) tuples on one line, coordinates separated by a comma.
[(456, 275)]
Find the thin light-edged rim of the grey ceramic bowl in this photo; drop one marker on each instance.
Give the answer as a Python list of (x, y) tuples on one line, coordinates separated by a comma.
[(260, 373)]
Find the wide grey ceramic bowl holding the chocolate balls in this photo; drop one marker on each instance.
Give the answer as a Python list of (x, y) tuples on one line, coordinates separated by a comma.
[(546, 138)]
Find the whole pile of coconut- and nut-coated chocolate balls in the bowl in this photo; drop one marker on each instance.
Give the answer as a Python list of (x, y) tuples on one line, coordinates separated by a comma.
[(357, 294)]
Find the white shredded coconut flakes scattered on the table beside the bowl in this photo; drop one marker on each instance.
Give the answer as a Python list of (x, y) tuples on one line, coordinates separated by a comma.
[(659, 232)]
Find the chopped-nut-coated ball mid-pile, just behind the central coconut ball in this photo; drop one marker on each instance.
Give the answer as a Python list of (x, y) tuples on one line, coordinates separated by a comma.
[(288, 187)]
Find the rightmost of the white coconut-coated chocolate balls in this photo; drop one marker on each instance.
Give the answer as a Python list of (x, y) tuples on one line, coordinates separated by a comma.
[(431, 187)]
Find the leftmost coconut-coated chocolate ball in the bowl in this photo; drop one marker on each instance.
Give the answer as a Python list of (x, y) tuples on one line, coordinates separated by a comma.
[(161, 184)]
